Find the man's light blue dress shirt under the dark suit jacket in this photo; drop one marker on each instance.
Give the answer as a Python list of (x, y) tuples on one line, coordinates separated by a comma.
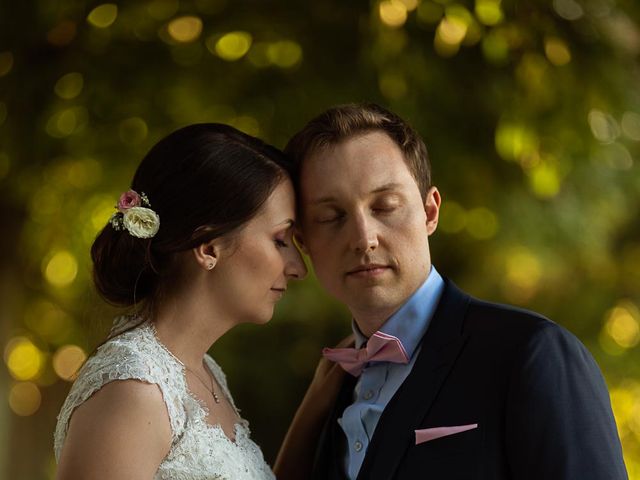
[(379, 381)]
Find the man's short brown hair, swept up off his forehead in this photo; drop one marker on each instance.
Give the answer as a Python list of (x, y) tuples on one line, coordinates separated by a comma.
[(345, 121)]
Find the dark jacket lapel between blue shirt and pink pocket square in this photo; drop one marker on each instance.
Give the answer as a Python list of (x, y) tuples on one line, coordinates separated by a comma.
[(441, 345)]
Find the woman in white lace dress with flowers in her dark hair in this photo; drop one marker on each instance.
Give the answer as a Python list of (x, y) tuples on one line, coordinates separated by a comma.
[(202, 242)]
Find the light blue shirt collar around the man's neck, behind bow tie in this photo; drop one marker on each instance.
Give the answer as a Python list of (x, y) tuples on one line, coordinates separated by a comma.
[(411, 321)]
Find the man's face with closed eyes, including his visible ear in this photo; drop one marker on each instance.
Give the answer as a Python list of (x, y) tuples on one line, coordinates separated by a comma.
[(364, 223)]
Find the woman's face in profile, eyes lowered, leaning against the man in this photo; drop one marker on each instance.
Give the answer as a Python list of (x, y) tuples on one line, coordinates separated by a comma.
[(253, 272)]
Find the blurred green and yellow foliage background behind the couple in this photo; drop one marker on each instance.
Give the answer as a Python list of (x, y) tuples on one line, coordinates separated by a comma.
[(530, 110)]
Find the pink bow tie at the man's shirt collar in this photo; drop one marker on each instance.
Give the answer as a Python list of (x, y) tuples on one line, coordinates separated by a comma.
[(381, 347)]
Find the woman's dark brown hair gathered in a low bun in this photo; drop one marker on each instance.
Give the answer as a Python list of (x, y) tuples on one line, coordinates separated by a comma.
[(204, 181)]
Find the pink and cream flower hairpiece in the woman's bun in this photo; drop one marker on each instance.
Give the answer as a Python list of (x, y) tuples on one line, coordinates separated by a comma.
[(140, 221)]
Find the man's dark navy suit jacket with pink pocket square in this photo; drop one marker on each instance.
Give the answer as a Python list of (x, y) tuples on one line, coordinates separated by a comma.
[(538, 397)]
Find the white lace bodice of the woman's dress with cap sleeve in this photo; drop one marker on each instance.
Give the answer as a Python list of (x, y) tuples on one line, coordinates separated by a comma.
[(199, 450)]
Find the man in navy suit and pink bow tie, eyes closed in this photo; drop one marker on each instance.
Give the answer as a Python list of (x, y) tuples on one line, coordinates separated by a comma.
[(441, 385)]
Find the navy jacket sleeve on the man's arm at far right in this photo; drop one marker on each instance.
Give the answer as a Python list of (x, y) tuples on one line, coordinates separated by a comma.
[(559, 422)]
